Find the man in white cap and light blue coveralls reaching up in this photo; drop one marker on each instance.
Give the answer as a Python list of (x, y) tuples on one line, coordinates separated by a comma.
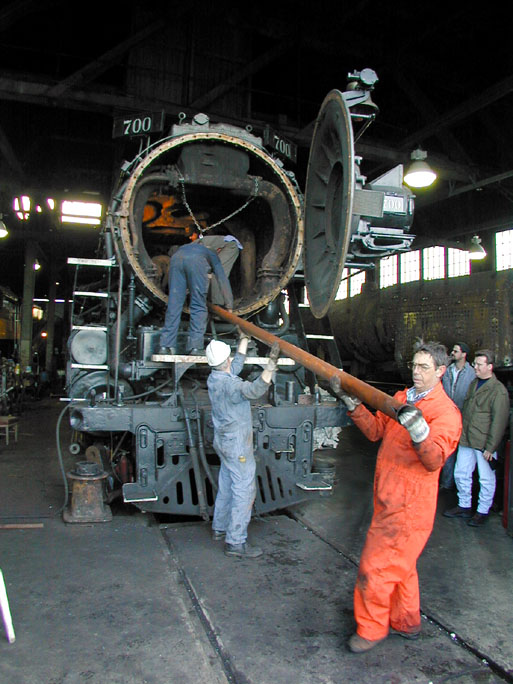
[(233, 441)]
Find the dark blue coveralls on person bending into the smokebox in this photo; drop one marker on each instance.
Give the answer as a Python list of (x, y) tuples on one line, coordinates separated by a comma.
[(188, 270)]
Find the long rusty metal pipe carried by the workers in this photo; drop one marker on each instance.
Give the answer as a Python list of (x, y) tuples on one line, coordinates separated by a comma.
[(353, 386)]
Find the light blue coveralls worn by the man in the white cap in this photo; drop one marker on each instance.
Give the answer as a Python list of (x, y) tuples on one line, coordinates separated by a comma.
[(233, 441)]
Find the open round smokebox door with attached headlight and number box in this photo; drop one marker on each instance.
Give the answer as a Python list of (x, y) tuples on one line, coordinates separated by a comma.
[(348, 222)]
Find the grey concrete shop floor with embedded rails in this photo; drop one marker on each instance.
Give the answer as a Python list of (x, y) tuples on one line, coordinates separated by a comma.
[(135, 601)]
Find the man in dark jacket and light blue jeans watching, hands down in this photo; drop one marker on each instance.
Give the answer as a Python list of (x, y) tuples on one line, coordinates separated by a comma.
[(485, 416)]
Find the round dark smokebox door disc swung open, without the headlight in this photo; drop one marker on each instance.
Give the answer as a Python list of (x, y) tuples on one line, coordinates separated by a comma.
[(328, 202)]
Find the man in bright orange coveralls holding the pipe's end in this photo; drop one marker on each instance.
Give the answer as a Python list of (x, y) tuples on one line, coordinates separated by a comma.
[(386, 595)]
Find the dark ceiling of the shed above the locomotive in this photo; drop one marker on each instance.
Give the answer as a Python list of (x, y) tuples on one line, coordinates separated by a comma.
[(66, 71)]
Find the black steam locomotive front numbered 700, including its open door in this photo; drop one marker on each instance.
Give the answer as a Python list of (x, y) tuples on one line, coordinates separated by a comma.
[(147, 421)]
